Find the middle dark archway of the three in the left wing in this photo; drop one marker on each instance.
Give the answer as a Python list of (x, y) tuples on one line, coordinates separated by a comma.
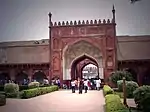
[(21, 77)]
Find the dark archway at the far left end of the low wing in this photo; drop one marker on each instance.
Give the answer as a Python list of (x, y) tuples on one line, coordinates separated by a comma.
[(4, 78)]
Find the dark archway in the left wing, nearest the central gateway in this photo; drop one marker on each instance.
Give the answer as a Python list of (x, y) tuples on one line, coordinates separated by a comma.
[(39, 76)]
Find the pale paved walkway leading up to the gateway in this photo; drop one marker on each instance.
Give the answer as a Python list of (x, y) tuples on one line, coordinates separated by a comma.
[(59, 101)]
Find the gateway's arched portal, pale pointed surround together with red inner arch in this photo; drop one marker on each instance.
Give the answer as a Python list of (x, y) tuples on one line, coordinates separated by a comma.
[(79, 52)]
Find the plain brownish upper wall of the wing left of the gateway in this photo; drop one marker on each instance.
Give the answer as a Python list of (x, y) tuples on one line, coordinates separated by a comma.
[(31, 52)]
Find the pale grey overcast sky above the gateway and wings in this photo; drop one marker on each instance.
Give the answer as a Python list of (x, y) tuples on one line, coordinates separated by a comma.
[(28, 19)]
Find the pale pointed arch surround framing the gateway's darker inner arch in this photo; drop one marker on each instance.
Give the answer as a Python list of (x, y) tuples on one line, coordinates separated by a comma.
[(76, 51)]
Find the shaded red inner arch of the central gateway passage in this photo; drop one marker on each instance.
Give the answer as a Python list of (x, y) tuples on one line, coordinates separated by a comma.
[(78, 64)]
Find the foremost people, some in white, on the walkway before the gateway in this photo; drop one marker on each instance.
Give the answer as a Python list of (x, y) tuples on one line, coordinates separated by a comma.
[(83, 84)]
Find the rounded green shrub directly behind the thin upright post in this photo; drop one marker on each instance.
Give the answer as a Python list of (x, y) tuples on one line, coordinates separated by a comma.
[(130, 87)]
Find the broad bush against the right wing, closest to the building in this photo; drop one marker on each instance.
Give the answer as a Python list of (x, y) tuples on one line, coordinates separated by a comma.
[(118, 75)]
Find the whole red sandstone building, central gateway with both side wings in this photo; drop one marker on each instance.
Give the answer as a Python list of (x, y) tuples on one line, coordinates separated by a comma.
[(71, 46)]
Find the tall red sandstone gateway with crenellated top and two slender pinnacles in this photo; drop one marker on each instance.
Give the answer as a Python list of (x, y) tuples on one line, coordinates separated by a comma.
[(72, 43)]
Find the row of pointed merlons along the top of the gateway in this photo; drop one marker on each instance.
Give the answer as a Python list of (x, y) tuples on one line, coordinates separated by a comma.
[(81, 23)]
